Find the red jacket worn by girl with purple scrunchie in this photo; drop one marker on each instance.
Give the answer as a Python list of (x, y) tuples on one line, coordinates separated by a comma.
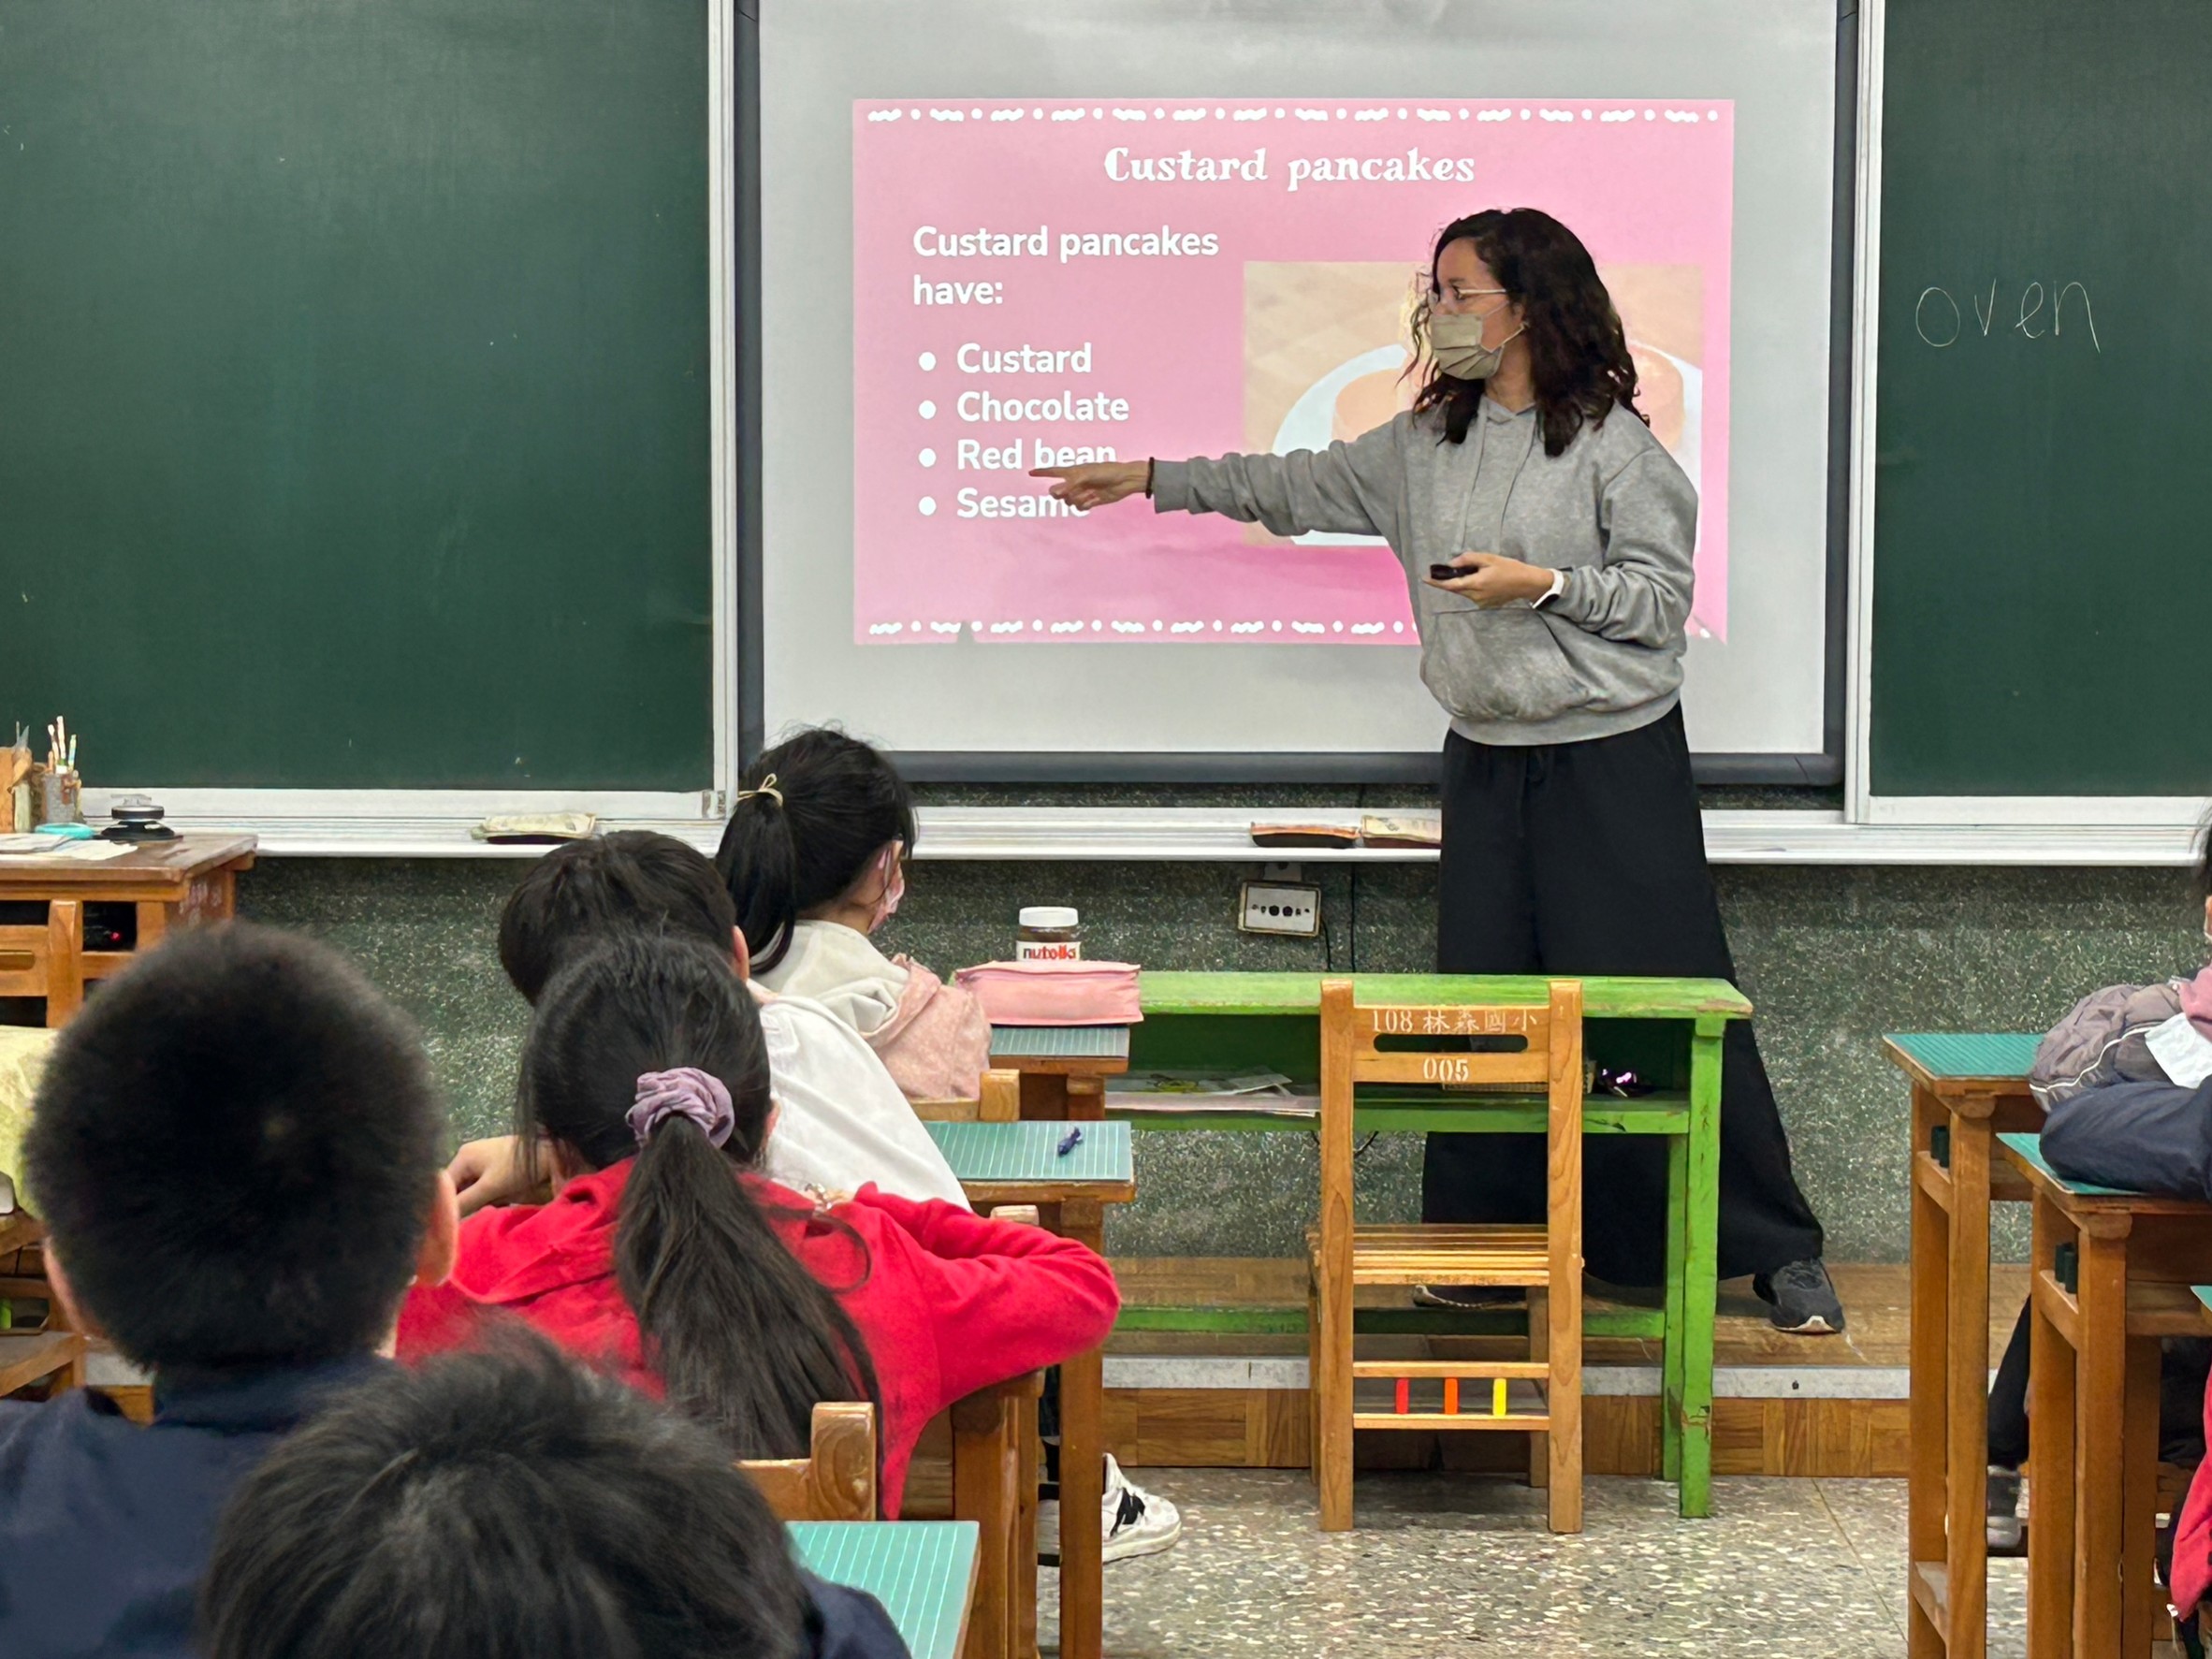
[(948, 1302)]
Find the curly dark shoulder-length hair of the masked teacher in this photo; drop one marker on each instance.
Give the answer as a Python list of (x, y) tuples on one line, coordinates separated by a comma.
[(1576, 346)]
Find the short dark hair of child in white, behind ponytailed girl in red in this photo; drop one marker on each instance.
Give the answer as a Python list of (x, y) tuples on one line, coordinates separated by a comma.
[(585, 890)]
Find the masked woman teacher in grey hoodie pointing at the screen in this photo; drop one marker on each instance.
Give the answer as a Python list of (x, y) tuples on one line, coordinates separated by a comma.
[(1572, 824)]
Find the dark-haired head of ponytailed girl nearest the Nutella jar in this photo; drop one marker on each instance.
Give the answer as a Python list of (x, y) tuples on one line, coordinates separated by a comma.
[(815, 815)]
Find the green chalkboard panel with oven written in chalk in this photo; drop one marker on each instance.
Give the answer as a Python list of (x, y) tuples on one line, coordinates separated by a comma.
[(2043, 536)]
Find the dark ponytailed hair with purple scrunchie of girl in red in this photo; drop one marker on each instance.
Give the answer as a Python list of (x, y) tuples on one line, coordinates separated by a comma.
[(651, 1050)]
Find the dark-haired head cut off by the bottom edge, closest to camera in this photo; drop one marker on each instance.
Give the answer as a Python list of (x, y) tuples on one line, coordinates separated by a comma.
[(505, 1507)]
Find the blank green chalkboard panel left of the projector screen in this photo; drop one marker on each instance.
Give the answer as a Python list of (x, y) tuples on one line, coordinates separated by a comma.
[(355, 408)]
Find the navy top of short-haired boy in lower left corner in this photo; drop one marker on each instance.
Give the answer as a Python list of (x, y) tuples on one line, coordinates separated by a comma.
[(105, 1527)]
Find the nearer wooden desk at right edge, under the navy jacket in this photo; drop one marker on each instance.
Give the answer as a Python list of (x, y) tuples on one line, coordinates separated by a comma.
[(2109, 1280)]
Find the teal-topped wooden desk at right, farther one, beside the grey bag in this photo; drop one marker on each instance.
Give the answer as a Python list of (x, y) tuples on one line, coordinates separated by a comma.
[(1965, 1092)]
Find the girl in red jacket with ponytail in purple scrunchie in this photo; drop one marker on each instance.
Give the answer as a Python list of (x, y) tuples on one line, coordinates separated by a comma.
[(698, 1280)]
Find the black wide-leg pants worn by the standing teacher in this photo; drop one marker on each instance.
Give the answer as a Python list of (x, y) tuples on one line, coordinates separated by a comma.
[(1589, 859)]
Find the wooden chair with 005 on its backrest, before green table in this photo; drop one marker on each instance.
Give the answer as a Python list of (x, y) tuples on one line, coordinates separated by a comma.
[(1428, 1045)]
